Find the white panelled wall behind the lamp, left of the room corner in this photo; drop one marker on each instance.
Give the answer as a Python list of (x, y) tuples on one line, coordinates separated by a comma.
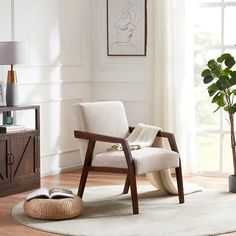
[(59, 72)]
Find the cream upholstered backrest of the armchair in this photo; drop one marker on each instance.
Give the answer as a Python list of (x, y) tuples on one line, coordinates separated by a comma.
[(106, 118)]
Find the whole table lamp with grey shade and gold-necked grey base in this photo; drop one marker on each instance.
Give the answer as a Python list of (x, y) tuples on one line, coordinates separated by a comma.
[(12, 53)]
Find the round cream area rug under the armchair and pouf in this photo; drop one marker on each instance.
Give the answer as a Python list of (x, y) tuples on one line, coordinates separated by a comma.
[(107, 212)]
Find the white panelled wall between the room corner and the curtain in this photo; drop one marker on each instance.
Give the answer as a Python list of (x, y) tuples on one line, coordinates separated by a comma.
[(118, 78)]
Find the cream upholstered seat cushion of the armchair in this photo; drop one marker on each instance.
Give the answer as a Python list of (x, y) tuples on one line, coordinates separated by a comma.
[(145, 160)]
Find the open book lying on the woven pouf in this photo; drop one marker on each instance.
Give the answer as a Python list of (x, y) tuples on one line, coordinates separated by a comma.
[(53, 193)]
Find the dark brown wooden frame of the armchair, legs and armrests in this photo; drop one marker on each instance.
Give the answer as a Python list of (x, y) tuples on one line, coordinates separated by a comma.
[(130, 170)]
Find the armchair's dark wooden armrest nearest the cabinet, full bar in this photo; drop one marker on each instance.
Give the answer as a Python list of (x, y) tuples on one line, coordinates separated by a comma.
[(97, 137)]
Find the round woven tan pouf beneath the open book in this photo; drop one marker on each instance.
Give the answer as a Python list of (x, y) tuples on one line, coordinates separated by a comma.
[(54, 209)]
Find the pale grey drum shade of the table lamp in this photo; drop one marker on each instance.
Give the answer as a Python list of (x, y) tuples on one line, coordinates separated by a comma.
[(13, 52)]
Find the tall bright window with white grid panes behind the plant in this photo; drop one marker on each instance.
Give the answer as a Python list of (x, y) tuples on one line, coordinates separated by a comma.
[(214, 33)]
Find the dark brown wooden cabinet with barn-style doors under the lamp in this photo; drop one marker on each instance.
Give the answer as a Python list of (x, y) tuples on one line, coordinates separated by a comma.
[(20, 155)]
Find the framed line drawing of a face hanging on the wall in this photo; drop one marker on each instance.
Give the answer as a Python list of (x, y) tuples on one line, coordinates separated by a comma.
[(126, 27)]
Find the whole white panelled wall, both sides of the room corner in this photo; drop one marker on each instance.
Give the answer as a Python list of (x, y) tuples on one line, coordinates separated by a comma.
[(68, 64)]
